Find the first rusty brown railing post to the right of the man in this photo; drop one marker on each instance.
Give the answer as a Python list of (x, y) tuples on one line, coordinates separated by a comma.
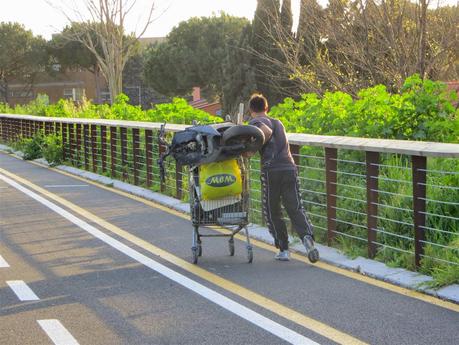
[(331, 166)]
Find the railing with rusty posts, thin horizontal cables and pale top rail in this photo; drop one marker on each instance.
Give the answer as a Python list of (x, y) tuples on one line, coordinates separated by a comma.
[(374, 195)]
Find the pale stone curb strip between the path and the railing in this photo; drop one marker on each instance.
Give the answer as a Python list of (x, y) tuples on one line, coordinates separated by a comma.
[(397, 276)]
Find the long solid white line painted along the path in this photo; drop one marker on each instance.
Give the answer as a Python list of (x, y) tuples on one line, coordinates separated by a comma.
[(259, 320)]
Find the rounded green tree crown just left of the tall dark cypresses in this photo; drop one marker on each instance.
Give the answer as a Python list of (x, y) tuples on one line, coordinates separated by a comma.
[(194, 54)]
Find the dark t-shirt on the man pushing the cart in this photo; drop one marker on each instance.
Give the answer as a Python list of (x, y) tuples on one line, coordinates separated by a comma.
[(275, 153)]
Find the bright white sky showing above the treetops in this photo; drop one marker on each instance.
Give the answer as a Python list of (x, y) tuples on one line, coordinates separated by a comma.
[(44, 20)]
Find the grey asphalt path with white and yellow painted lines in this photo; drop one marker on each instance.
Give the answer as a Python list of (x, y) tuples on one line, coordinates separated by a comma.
[(120, 275)]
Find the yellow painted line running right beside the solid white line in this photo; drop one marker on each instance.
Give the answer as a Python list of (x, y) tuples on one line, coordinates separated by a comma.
[(249, 295)]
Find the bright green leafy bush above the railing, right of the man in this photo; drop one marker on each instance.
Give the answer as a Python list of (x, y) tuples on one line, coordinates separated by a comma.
[(423, 110)]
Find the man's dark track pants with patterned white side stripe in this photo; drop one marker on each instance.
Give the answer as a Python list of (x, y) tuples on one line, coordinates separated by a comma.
[(282, 186)]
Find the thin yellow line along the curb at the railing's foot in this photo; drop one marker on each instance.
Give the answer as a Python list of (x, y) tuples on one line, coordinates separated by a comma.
[(328, 267)]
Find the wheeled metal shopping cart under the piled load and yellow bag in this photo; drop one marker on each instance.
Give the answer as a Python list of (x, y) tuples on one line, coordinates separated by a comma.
[(230, 212)]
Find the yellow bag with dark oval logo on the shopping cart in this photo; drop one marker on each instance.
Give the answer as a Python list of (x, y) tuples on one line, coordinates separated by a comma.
[(220, 179)]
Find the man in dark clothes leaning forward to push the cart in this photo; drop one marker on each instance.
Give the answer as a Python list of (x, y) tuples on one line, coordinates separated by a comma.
[(280, 183)]
